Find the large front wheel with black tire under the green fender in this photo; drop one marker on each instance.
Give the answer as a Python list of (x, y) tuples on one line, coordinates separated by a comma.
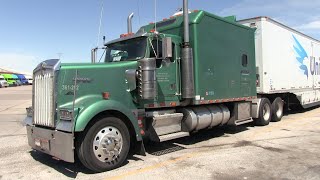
[(105, 145)]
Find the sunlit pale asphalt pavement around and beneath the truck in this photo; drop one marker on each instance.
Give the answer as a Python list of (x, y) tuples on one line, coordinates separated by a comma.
[(289, 149)]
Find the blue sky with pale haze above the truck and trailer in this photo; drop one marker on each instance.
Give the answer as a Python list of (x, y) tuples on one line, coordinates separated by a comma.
[(35, 30)]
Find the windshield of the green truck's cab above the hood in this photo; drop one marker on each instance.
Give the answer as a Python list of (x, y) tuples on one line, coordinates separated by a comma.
[(129, 50)]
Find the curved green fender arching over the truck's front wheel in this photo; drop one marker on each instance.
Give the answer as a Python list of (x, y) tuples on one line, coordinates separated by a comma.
[(104, 105)]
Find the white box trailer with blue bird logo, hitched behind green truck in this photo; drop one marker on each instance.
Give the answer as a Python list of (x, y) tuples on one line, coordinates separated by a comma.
[(288, 67)]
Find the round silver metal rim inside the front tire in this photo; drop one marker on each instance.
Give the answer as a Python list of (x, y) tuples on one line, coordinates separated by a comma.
[(107, 144)]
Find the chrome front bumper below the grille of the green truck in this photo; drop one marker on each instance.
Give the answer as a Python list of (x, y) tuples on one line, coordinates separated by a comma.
[(55, 143)]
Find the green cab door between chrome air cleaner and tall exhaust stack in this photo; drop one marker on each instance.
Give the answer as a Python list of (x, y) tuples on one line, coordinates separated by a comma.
[(166, 72)]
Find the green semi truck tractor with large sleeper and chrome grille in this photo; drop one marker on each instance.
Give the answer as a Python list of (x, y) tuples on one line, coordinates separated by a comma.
[(166, 81)]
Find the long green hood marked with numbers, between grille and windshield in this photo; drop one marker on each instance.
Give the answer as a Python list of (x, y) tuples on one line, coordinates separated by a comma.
[(92, 81)]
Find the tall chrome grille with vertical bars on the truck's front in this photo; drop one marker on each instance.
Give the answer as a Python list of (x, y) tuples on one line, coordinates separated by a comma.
[(43, 101)]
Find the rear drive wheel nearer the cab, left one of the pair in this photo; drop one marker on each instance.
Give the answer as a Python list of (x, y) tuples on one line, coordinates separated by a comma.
[(265, 113)]
